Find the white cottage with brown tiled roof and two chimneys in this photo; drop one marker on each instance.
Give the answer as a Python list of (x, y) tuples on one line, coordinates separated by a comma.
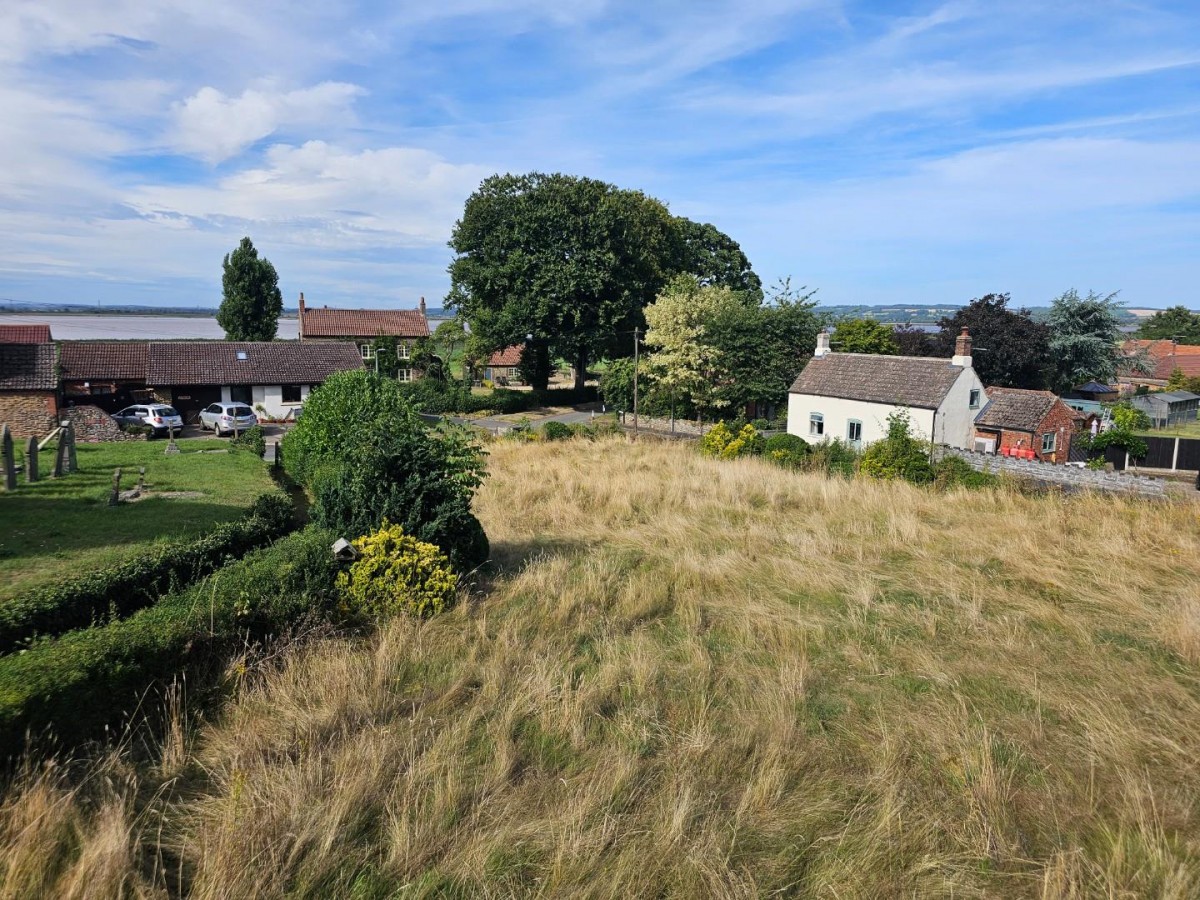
[(850, 397)]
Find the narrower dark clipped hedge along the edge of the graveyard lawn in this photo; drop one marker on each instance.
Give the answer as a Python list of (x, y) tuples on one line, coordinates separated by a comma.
[(124, 589)]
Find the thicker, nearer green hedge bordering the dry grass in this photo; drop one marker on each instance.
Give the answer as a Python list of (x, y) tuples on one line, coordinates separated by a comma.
[(85, 681)]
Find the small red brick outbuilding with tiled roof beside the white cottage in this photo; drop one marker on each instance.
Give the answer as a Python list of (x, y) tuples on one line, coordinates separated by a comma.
[(1028, 421)]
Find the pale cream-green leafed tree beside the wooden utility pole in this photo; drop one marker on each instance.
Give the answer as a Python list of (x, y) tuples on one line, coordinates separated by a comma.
[(683, 362)]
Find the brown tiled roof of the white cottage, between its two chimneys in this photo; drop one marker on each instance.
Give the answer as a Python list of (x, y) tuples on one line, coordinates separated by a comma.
[(919, 382)]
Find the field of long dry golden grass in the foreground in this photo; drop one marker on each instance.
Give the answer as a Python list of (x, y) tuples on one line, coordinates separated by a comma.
[(699, 680)]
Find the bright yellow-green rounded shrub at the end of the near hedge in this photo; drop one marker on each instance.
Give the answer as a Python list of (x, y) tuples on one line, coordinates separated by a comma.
[(397, 573)]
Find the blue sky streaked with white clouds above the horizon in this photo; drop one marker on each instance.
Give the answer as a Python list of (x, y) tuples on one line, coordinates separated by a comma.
[(922, 153)]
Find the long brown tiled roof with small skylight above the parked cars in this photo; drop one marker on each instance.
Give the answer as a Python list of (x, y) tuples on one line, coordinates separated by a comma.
[(195, 363)]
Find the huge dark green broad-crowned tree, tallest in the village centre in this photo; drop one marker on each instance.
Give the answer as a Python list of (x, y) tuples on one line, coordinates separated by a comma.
[(567, 265)]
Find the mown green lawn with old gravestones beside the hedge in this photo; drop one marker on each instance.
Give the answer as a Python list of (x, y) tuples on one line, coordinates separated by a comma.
[(62, 527)]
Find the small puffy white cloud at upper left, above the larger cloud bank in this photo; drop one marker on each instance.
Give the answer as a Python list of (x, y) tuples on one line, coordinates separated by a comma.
[(214, 127)]
